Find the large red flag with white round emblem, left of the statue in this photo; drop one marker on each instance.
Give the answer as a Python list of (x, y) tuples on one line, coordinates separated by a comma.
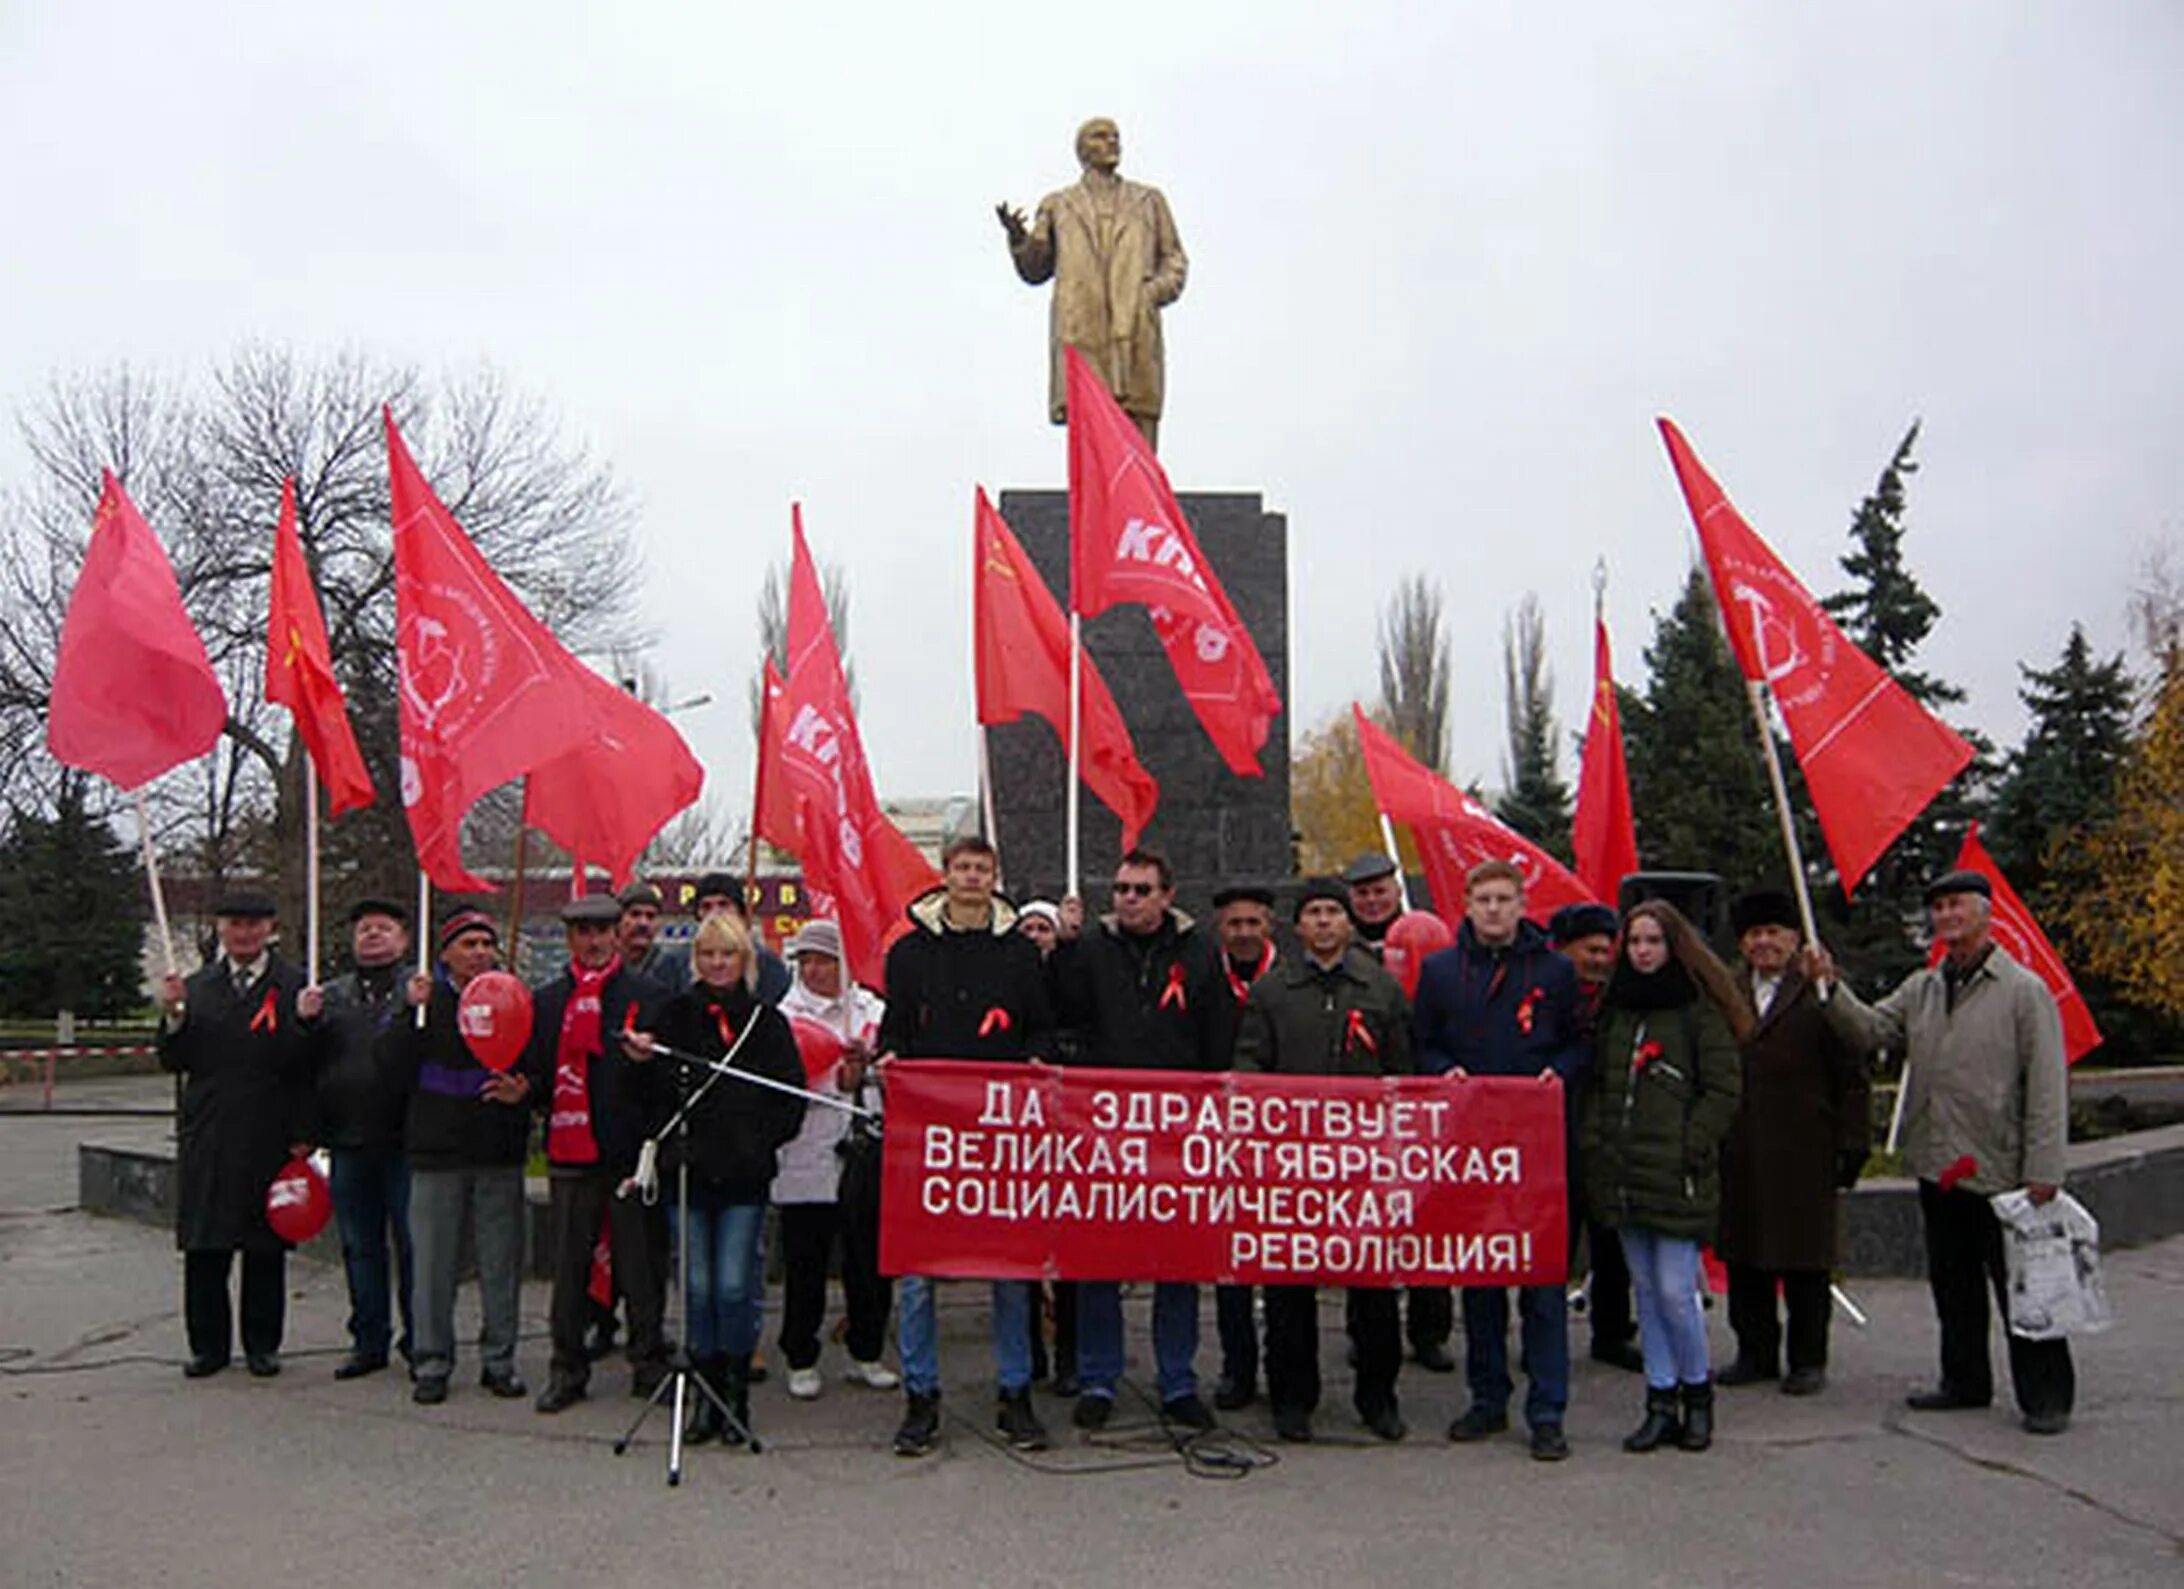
[(484, 682)]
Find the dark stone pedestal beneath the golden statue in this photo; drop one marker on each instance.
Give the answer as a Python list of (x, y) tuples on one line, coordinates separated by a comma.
[(1215, 828)]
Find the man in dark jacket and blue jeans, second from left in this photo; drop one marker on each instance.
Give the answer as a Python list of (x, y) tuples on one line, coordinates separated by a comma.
[(361, 1123)]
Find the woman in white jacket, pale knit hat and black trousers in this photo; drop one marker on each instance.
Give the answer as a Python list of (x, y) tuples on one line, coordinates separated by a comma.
[(807, 1184)]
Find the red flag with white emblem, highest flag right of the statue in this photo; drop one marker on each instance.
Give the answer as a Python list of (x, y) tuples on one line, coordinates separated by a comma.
[(1873, 756)]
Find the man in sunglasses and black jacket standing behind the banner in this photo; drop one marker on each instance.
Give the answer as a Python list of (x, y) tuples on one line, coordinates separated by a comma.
[(1141, 990)]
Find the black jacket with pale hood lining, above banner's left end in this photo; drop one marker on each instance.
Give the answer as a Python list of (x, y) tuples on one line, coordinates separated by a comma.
[(966, 994)]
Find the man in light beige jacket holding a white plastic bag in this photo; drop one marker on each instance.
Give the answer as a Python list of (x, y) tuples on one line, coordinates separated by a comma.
[(1986, 1110)]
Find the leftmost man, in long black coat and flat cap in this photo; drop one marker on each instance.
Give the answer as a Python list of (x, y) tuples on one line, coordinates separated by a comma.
[(244, 1036)]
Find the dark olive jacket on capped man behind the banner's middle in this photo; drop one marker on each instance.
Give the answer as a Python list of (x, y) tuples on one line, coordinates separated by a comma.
[(1346, 1020)]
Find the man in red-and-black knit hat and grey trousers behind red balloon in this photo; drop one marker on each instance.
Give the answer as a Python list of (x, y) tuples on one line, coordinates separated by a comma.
[(466, 1132)]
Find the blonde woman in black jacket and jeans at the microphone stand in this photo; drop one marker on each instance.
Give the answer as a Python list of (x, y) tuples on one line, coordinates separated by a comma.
[(731, 1140)]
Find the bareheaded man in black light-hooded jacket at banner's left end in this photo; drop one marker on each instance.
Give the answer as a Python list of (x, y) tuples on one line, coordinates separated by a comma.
[(964, 983)]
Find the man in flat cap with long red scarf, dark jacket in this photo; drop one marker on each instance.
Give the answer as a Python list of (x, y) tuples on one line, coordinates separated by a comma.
[(595, 1125)]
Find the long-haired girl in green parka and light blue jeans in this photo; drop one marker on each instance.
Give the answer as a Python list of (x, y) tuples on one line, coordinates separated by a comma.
[(1665, 1095)]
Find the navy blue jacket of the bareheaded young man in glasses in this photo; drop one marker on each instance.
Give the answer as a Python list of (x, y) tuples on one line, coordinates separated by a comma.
[(1506, 1012)]
